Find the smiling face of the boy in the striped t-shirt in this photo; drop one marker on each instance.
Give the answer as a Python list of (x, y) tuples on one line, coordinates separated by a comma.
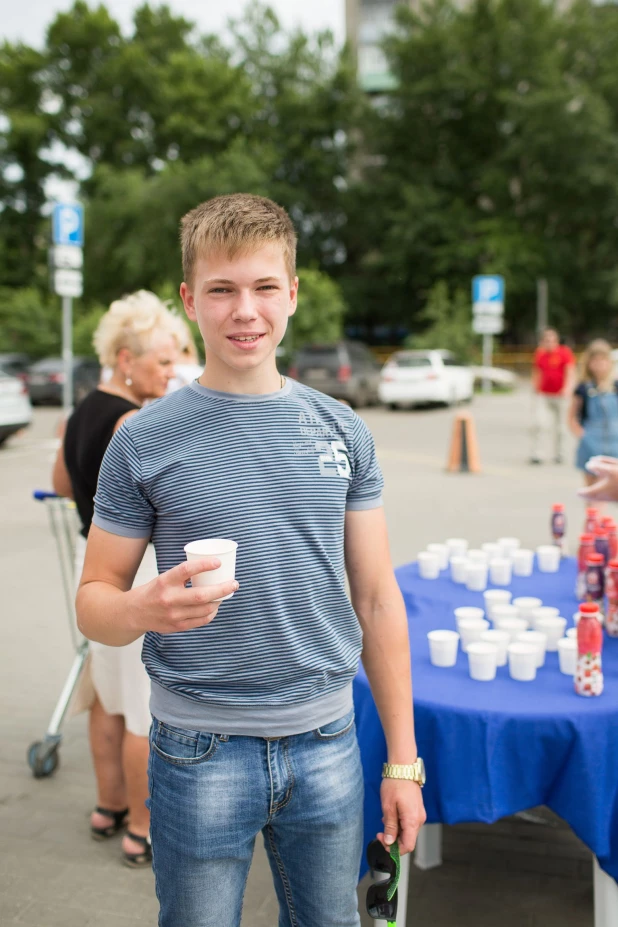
[(241, 306)]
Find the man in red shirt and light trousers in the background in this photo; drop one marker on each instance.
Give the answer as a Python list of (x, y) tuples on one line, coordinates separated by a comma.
[(553, 379)]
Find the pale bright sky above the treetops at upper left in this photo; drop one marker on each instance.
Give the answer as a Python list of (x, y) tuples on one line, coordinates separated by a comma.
[(28, 21)]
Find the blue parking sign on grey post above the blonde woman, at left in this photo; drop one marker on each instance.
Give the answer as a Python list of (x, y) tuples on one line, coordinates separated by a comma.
[(66, 262)]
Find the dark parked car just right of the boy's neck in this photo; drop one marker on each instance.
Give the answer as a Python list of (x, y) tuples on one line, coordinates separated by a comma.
[(346, 370)]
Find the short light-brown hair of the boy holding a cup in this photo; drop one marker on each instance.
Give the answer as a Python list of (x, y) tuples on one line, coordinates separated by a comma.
[(235, 224)]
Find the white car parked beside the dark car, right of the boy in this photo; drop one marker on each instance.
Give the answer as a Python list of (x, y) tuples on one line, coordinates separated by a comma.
[(414, 377)]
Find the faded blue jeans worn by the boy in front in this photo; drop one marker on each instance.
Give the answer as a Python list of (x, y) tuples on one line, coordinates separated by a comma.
[(211, 794)]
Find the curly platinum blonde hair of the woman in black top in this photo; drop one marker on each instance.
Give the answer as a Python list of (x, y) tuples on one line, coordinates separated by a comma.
[(133, 322)]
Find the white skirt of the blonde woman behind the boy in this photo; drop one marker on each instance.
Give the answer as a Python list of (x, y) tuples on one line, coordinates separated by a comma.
[(116, 675)]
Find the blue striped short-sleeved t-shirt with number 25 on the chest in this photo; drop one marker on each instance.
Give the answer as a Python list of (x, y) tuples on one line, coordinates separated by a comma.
[(276, 473)]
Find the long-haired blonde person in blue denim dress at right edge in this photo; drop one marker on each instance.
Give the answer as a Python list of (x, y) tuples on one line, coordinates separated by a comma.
[(593, 414)]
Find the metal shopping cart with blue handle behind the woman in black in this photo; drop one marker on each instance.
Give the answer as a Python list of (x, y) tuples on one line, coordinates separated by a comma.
[(43, 754)]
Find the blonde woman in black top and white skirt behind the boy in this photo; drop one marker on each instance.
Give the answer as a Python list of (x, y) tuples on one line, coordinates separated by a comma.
[(138, 339)]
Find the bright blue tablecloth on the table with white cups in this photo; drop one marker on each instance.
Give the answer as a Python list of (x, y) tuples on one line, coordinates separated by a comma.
[(494, 748)]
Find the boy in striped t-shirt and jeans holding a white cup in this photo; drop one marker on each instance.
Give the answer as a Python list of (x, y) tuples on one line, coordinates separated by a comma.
[(253, 723)]
